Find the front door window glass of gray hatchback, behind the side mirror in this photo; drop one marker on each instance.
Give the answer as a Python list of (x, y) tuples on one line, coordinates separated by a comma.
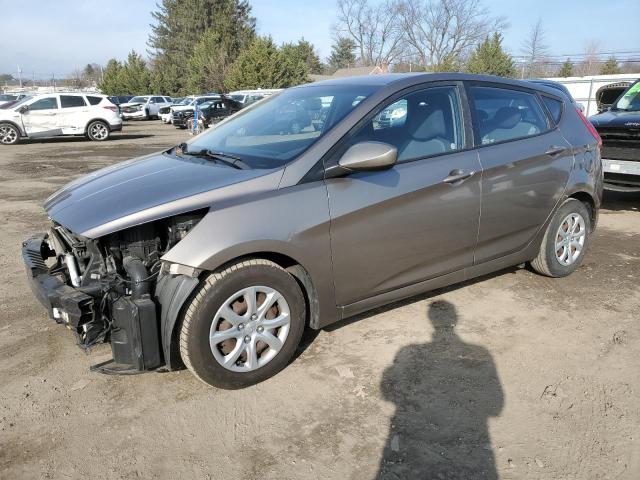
[(420, 124)]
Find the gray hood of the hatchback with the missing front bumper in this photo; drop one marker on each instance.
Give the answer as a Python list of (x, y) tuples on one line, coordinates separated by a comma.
[(149, 188)]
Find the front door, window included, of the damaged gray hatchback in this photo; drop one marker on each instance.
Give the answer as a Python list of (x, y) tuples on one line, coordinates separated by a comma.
[(418, 220)]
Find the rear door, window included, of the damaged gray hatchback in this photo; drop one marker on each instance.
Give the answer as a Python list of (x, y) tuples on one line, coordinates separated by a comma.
[(526, 164)]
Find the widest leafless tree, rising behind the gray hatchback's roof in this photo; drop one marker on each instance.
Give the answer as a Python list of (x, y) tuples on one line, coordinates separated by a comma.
[(445, 31)]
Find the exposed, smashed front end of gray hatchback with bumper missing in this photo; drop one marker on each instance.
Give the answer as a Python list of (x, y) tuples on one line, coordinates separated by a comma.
[(115, 289)]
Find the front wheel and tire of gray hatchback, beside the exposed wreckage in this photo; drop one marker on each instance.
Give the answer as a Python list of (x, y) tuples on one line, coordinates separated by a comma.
[(243, 325)]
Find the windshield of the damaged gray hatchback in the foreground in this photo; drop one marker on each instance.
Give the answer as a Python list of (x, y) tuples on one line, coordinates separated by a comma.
[(275, 131)]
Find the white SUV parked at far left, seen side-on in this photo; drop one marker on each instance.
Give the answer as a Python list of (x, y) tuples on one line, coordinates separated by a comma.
[(55, 114)]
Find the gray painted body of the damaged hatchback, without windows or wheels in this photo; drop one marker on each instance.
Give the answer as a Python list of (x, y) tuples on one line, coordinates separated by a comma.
[(364, 239)]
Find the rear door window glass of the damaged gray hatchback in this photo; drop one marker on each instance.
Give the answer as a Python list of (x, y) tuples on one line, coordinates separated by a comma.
[(504, 114)]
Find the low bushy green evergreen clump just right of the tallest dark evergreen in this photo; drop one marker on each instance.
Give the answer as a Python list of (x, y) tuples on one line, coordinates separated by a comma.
[(263, 65)]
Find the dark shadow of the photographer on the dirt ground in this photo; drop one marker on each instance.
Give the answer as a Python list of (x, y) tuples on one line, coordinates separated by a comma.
[(444, 393)]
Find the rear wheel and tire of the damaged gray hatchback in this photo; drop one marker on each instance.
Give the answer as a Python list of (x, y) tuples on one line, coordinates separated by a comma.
[(565, 242)]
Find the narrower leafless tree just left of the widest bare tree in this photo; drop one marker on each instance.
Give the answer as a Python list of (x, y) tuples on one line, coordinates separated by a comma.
[(373, 28)]
